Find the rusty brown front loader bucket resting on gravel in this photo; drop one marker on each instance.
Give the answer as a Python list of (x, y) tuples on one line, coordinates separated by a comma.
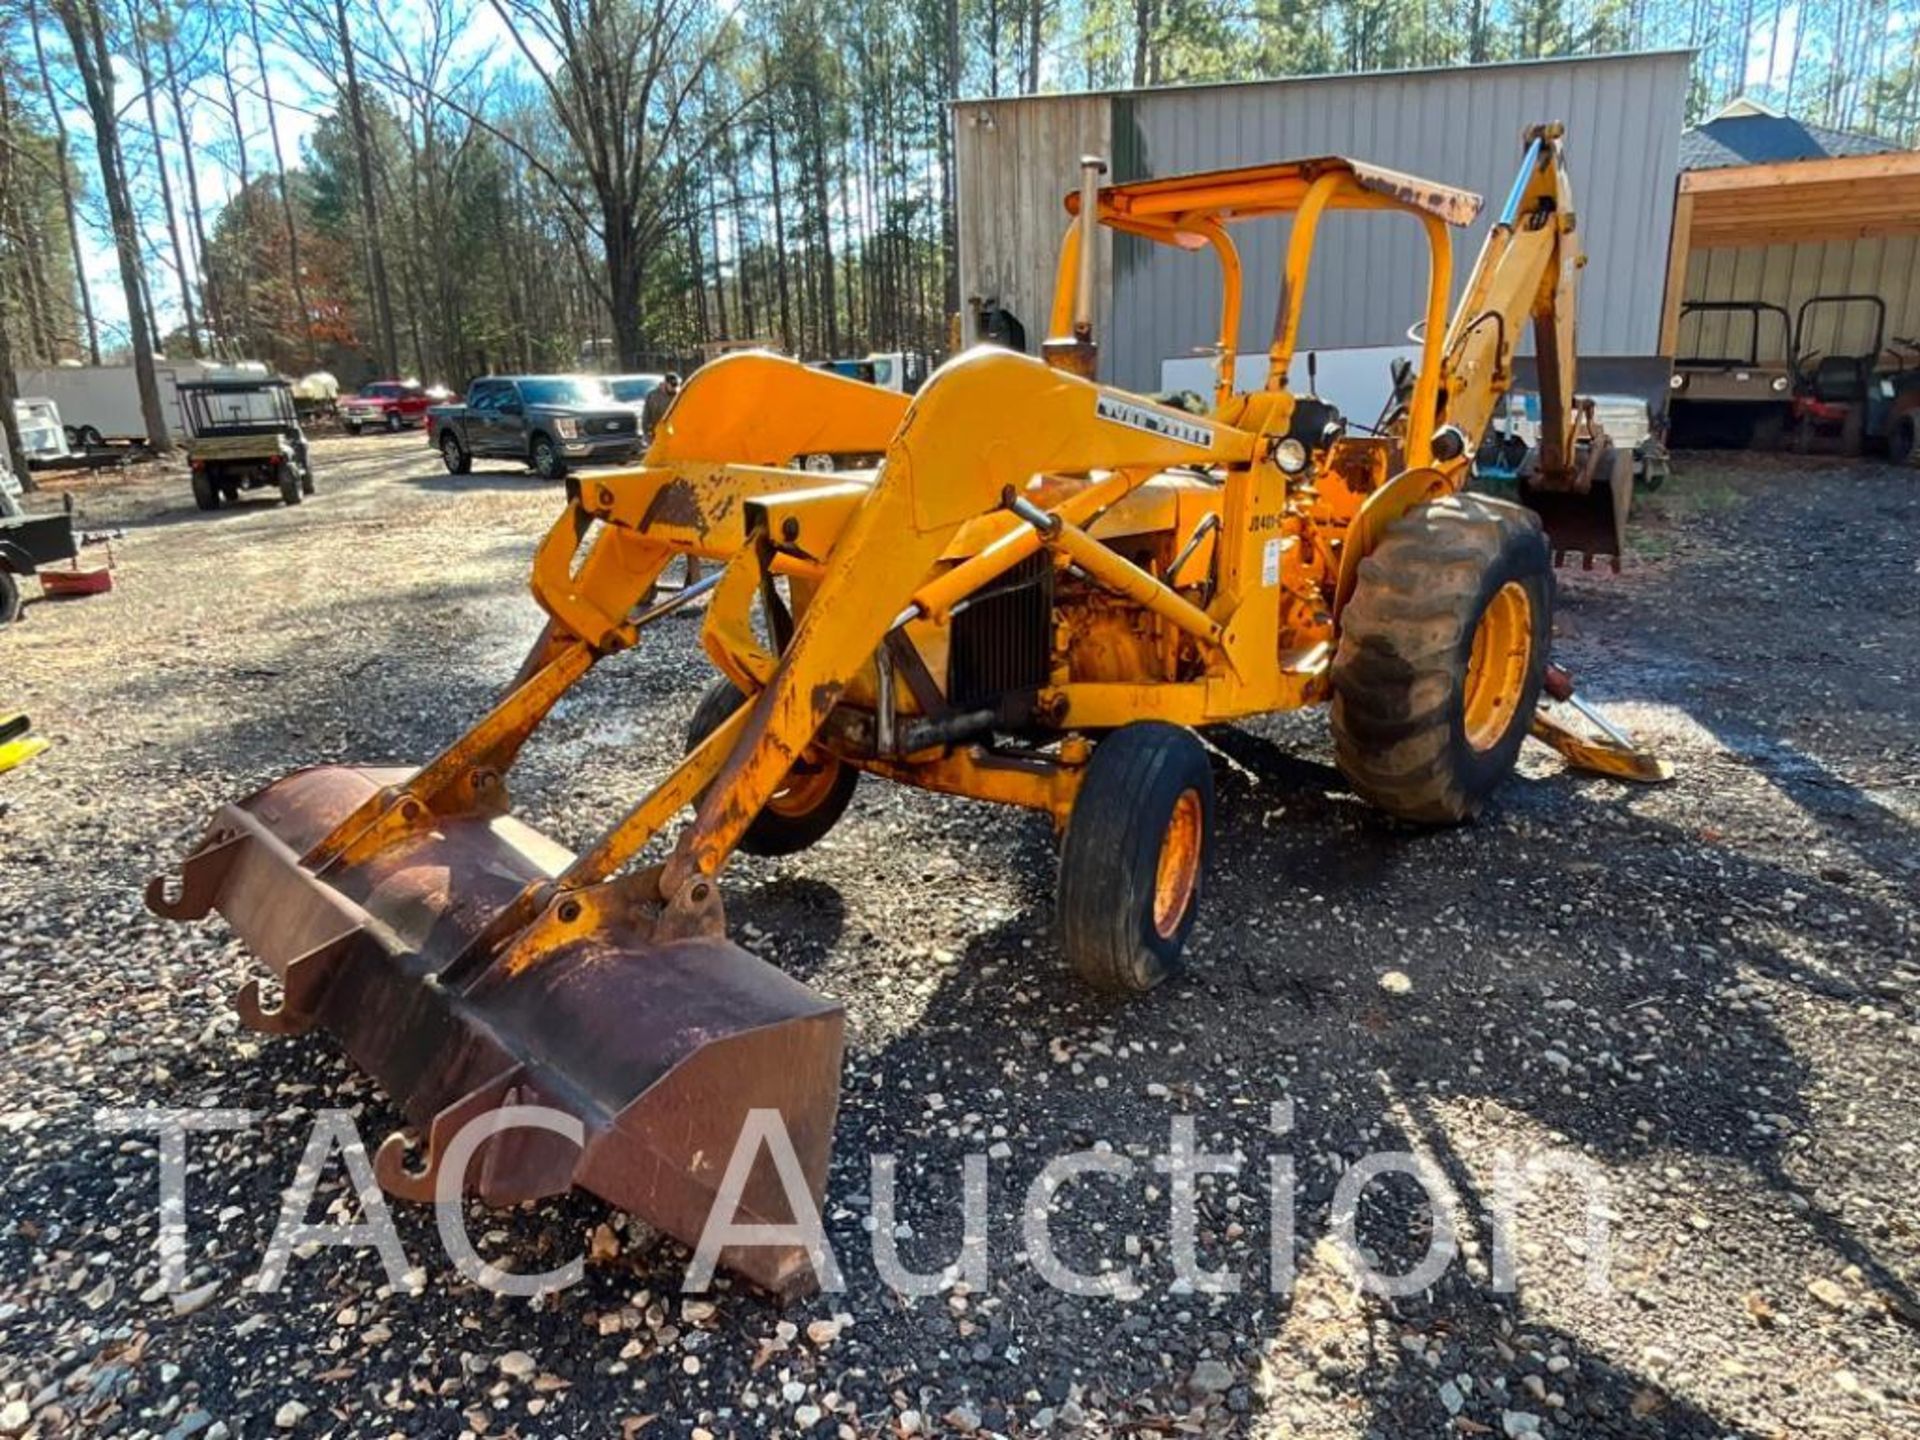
[(658, 1047)]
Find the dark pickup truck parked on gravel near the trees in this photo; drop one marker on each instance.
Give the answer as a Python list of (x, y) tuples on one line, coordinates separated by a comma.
[(546, 421)]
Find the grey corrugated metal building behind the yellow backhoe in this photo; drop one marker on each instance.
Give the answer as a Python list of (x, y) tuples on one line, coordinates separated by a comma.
[(1019, 158)]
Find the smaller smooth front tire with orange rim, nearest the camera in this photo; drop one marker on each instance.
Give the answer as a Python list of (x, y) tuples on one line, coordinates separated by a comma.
[(1134, 857)]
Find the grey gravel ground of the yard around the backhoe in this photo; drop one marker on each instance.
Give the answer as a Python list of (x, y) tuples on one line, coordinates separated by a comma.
[(1706, 992)]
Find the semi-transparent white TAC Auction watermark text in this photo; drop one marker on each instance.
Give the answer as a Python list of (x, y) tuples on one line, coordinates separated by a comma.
[(763, 1136)]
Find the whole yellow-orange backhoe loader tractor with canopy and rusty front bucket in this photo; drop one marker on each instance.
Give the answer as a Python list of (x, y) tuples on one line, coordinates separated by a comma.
[(1040, 596)]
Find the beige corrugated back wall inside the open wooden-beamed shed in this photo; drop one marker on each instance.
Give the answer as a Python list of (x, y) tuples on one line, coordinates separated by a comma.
[(1790, 276)]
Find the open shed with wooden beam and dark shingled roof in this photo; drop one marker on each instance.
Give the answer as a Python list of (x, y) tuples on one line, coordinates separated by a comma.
[(1775, 210)]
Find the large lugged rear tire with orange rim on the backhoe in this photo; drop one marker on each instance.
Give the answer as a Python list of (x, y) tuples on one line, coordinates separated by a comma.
[(1443, 650)]
